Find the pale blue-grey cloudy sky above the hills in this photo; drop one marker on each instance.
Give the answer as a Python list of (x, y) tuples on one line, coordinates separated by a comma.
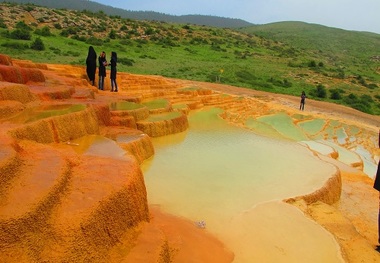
[(360, 15)]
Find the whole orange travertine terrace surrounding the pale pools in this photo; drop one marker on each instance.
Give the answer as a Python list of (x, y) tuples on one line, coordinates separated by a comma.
[(60, 206)]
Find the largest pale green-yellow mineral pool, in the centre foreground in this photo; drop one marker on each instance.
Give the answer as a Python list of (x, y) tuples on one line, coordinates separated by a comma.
[(234, 181)]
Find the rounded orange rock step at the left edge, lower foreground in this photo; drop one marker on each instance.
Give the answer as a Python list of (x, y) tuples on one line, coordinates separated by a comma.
[(33, 191)]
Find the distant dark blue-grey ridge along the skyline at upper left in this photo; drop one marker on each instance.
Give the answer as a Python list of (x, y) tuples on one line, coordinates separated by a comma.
[(92, 6)]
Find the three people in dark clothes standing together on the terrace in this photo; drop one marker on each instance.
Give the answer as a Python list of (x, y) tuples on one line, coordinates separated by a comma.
[(91, 62)]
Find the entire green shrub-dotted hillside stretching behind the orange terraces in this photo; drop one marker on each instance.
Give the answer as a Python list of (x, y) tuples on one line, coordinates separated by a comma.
[(280, 58)]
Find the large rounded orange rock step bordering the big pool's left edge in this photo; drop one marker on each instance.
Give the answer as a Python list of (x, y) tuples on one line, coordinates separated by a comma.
[(107, 198)]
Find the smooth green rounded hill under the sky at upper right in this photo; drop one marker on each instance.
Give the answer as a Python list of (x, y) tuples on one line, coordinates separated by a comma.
[(322, 39)]
